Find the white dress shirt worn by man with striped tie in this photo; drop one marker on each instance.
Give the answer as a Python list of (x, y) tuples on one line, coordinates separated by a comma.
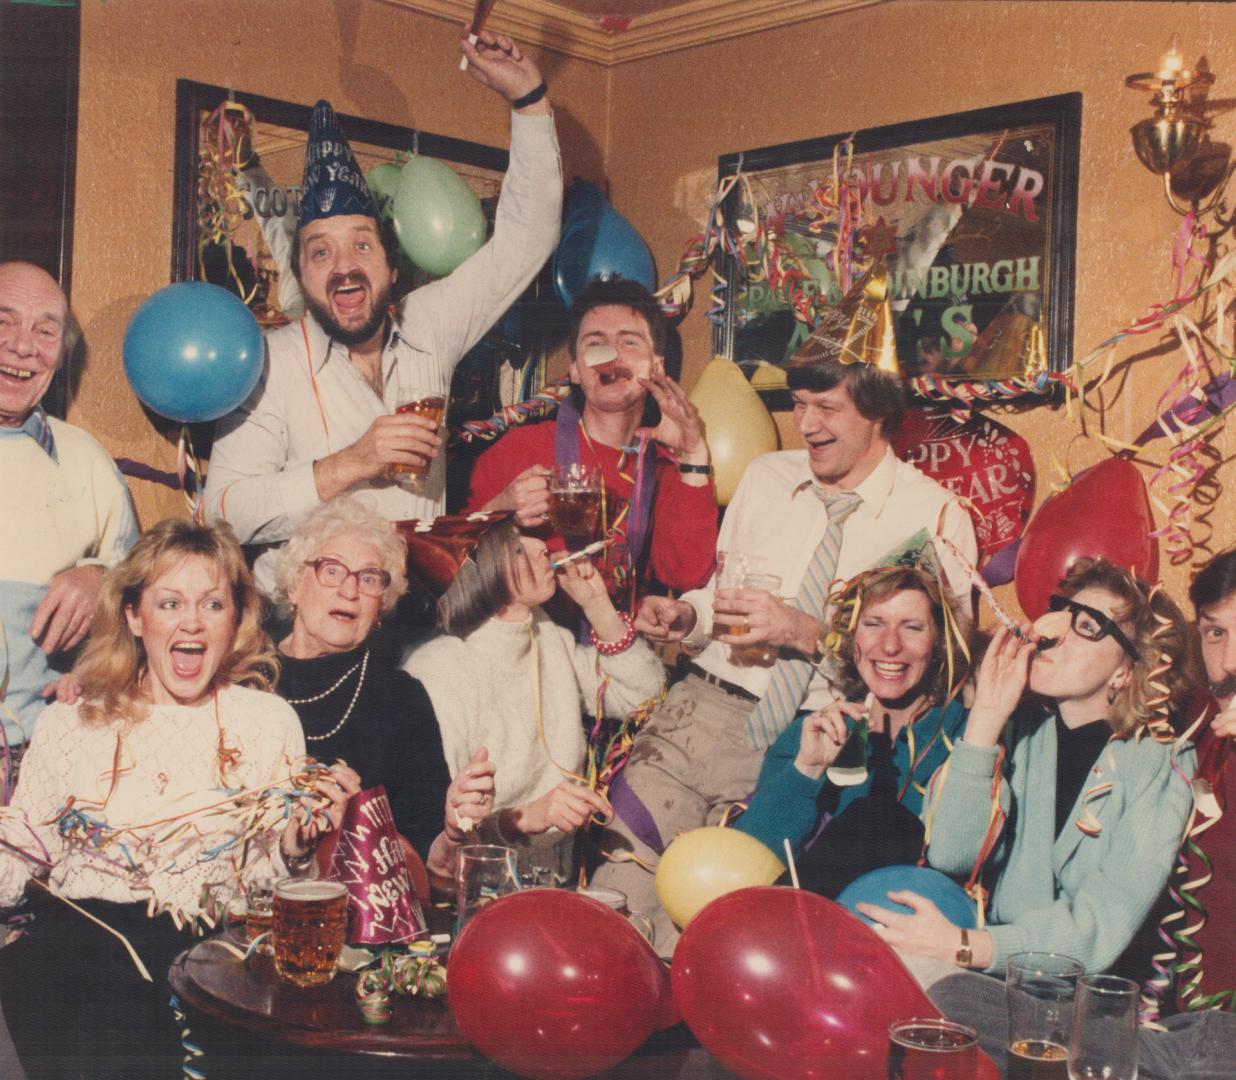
[(777, 516)]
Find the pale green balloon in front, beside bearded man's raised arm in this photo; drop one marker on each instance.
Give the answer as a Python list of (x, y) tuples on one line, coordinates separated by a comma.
[(437, 217)]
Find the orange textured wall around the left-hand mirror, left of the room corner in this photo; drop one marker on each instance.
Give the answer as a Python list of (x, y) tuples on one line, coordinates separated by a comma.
[(366, 57)]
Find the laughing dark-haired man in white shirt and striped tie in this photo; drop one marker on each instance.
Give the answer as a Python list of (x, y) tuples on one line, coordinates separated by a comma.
[(824, 513)]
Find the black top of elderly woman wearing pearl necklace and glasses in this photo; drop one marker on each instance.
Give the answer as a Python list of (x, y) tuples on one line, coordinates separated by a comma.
[(390, 738)]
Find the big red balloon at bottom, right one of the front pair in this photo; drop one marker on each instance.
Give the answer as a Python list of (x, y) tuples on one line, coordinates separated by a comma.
[(781, 984)]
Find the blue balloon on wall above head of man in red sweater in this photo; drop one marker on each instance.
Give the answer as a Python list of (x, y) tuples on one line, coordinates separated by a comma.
[(598, 243)]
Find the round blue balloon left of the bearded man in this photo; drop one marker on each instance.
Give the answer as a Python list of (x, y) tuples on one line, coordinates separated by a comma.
[(193, 353)]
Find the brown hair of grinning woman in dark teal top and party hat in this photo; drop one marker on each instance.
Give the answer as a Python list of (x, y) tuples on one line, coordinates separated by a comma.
[(879, 586)]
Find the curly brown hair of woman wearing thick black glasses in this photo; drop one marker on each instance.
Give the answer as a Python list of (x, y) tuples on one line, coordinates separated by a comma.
[(1159, 632)]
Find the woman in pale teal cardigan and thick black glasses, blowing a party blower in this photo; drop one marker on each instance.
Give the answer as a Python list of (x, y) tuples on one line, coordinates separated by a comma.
[(1091, 788)]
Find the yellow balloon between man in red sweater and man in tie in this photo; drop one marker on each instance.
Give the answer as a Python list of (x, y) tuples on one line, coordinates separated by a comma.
[(737, 424)]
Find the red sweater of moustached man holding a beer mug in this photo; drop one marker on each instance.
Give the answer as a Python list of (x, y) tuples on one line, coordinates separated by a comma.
[(684, 528)]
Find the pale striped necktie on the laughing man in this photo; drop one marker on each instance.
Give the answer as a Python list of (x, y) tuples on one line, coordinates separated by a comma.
[(789, 679)]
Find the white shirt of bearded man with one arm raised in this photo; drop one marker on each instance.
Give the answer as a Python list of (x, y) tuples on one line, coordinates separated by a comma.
[(312, 401)]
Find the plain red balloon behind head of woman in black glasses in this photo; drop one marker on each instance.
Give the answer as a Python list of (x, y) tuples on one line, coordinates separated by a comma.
[(1106, 512)]
